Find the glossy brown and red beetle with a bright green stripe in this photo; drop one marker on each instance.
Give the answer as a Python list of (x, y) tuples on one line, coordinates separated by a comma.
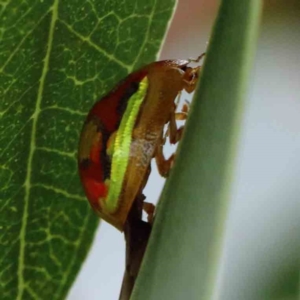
[(125, 130)]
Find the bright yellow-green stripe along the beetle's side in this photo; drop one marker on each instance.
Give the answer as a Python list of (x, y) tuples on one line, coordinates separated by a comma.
[(122, 144)]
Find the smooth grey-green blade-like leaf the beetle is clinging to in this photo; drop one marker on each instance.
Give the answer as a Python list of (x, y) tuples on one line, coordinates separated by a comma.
[(183, 255)]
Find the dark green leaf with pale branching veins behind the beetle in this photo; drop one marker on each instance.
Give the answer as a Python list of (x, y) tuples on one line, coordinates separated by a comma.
[(56, 59)]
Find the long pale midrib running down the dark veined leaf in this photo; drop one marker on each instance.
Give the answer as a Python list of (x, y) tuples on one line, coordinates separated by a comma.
[(27, 182)]
